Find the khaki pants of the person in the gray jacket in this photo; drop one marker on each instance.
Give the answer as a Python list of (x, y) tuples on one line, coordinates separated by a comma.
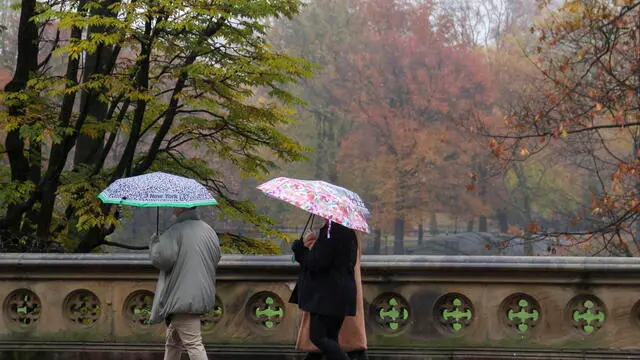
[(183, 334)]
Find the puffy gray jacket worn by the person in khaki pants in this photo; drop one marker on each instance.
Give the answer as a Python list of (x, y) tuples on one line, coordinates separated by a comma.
[(186, 255)]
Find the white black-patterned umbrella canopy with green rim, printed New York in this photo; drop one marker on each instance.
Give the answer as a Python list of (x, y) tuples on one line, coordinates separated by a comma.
[(157, 189)]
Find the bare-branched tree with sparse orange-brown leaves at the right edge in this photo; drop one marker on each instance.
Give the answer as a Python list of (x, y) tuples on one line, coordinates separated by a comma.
[(581, 104)]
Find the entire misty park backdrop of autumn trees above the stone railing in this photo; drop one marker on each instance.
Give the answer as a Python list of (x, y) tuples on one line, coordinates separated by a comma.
[(468, 127)]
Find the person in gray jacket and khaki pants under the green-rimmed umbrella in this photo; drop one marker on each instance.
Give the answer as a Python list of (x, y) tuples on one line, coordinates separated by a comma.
[(186, 254)]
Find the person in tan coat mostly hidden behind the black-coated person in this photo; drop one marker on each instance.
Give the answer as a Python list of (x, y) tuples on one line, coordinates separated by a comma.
[(353, 336)]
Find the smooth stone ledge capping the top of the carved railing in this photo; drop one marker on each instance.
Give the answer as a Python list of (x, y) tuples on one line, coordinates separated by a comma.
[(376, 268)]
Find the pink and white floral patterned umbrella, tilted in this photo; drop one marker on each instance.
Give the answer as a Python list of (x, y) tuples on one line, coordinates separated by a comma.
[(322, 199)]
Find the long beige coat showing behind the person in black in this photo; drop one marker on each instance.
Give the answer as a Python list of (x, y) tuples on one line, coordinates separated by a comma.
[(353, 335)]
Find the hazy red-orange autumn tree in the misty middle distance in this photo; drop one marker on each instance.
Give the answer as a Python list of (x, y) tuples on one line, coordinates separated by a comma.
[(405, 82)]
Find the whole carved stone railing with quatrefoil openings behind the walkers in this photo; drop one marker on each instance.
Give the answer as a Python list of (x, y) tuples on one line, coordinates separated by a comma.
[(416, 307)]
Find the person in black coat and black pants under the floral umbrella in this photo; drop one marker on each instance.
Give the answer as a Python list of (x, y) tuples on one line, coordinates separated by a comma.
[(326, 286)]
